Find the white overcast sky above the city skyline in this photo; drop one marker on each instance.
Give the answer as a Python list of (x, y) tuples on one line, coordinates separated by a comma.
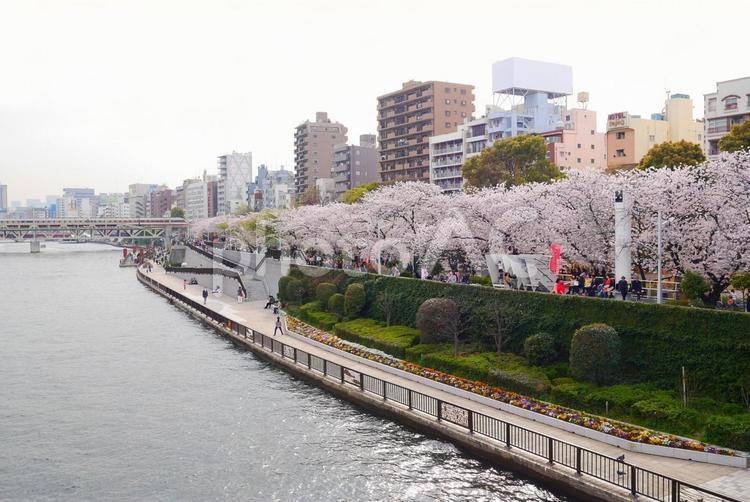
[(106, 93)]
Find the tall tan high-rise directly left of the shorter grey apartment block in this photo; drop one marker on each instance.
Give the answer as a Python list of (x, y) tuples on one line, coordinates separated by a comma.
[(313, 150)]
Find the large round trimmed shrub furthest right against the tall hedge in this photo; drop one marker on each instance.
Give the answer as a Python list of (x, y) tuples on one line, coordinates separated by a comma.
[(594, 354)]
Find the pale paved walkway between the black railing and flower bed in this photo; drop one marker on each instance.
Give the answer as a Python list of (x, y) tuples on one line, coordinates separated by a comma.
[(731, 481)]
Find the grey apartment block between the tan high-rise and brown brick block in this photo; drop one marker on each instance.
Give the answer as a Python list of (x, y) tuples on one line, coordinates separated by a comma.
[(355, 165)]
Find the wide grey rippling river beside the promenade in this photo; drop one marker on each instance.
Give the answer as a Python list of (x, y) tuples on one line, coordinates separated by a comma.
[(107, 392)]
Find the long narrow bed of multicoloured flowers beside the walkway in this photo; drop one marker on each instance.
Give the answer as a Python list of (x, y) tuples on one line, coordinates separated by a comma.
[(594, 422)]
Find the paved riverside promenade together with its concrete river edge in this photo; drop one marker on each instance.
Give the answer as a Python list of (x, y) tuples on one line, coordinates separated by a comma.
[(730, 481)]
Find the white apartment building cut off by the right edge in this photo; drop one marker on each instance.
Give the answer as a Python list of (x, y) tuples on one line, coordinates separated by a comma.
[(723, 109)]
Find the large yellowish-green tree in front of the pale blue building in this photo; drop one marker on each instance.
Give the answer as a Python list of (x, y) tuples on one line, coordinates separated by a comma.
[(513, 161)]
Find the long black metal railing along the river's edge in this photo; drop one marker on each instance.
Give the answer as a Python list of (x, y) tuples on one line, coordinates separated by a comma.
[(617, 473)]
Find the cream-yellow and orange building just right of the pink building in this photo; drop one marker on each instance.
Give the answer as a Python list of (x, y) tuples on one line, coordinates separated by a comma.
[(630, 137)]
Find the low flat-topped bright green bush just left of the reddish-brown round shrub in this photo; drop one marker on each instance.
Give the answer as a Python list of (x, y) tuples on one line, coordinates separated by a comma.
[(393, 340)]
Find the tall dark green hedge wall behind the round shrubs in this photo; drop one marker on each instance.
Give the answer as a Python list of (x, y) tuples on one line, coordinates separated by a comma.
[(657, 340)]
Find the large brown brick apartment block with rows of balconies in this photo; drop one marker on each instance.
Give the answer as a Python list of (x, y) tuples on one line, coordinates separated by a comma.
[(408, 117)]
